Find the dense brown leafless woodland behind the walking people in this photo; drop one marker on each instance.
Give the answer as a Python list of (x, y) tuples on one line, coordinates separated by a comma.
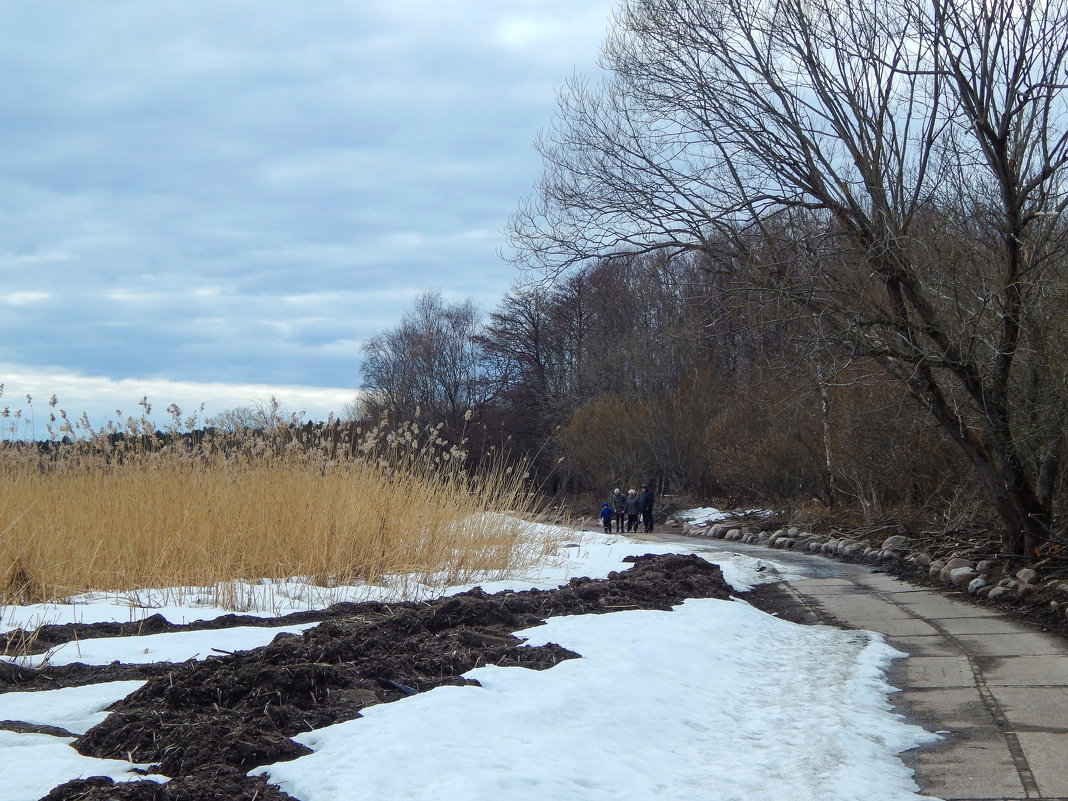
[(641, 370)]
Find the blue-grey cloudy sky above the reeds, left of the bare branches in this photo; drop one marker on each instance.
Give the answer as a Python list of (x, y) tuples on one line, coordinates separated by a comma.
[(214, 202)]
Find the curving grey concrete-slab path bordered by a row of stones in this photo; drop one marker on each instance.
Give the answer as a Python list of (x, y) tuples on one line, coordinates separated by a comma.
[(999, 689)]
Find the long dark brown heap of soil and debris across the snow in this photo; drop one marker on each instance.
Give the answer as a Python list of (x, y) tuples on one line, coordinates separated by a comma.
[(207, 724)]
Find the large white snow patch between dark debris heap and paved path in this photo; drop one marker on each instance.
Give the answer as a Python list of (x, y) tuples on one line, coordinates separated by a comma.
[(666, 705)]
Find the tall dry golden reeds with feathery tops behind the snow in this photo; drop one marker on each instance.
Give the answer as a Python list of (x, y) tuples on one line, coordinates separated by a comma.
[(138, 509)]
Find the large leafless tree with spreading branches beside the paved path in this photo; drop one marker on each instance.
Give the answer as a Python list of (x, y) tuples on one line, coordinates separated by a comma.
[(894, 169)]
